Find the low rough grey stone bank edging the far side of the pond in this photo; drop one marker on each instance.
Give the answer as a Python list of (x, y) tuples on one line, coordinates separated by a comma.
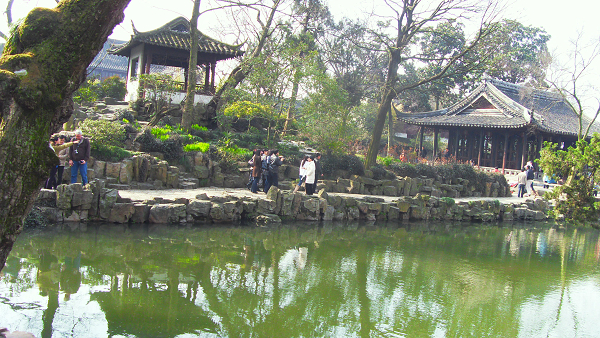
[(96, 202)]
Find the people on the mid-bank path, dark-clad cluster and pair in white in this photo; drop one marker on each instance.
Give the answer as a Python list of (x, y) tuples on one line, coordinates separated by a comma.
[(265, 171)]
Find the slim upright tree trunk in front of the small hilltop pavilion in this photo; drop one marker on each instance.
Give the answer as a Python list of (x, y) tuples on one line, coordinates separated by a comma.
[(188, 109)]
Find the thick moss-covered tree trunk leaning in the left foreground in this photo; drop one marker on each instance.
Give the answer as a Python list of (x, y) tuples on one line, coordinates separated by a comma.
[(42, 64)]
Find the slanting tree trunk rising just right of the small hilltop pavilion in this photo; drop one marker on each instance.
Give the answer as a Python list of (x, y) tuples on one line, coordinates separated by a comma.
[(239, 73)]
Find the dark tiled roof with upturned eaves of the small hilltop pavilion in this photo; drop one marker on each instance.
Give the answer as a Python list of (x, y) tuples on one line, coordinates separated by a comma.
[(176, 34)]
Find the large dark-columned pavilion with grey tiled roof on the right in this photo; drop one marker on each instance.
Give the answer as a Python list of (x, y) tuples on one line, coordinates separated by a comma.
[(501, 124)]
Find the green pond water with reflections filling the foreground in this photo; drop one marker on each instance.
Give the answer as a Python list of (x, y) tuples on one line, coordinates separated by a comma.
[(304, 280)]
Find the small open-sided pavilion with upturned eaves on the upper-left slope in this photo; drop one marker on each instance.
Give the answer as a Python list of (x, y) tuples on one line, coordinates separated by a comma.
[(168, 47)]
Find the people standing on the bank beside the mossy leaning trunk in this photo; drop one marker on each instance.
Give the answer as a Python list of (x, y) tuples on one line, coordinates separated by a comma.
[(76, 152)]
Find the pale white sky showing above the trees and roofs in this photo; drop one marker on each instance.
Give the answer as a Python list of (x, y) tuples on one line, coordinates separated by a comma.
[(564, 21)]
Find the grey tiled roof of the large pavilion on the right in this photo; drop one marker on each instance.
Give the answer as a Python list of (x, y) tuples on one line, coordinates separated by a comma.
[(513, 106)]
